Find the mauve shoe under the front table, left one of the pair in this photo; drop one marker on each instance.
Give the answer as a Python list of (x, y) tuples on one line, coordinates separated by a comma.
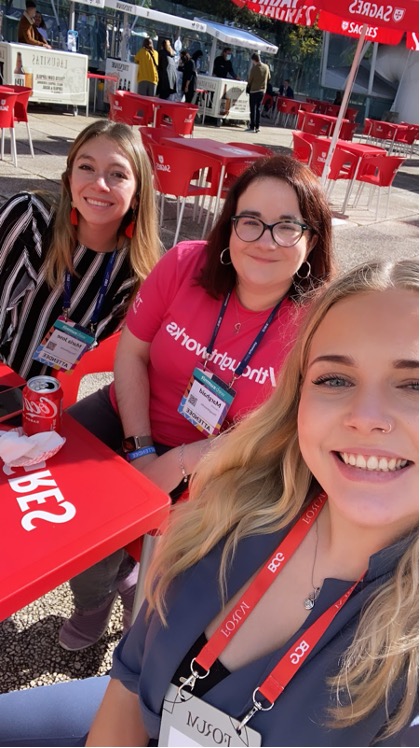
[(86, 627)]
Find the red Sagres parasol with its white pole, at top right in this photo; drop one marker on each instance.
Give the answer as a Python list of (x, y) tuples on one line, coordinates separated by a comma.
[(383, 21)]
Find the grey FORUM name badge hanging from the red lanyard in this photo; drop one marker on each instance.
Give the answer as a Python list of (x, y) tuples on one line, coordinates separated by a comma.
[(189, 721)]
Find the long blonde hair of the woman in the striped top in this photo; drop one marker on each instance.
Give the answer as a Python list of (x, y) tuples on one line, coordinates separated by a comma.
[(144, 249)]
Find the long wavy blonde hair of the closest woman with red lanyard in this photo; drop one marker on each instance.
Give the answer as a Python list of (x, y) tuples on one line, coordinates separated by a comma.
[(257, 482)]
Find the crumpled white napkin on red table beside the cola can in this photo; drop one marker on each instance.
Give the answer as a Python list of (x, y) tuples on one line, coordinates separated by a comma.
[(18, 450)]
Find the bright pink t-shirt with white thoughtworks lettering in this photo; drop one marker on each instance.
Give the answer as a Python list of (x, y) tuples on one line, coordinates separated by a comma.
[(177, 317)]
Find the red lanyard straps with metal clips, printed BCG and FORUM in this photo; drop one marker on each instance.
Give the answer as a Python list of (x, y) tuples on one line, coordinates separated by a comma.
[(290, 663)]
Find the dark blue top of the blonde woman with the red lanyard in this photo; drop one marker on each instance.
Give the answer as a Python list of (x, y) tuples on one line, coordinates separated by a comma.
[(148, 656)]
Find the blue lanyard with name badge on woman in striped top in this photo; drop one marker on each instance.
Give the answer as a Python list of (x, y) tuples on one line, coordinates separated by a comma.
[(66, 341)]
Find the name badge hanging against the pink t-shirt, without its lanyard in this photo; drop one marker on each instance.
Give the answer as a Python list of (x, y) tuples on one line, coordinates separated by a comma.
[(206, 401)]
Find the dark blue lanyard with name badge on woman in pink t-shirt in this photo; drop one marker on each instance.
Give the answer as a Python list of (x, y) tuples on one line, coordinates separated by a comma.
[(207, 399)]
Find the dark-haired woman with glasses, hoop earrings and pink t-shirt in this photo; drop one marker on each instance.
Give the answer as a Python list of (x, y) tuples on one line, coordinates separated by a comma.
[(218, 296)]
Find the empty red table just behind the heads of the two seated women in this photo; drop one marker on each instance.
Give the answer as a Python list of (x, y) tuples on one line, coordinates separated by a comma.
[(225, 154)]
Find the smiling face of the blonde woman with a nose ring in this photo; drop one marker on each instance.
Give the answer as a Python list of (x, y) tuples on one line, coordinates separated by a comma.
[(358, 413)]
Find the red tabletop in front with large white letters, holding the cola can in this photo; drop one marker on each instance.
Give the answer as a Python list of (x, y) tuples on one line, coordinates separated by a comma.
[(60, 518)]
